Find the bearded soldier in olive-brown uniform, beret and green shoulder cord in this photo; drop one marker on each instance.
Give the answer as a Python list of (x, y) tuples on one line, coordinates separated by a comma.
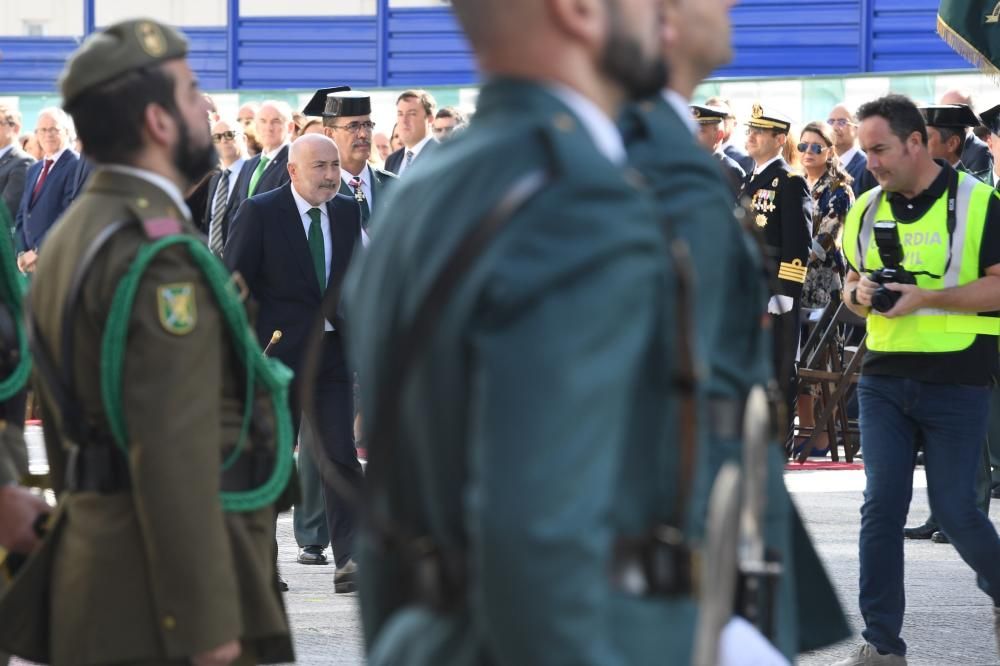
[(161, 551)]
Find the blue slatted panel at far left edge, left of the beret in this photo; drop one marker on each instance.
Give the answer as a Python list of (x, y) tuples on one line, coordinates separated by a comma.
[(32, 64)]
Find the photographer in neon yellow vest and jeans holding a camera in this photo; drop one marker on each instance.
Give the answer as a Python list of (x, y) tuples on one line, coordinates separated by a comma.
[(928, 282)]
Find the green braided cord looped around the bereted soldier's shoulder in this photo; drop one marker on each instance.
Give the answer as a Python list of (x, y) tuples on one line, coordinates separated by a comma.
[(271, 373)]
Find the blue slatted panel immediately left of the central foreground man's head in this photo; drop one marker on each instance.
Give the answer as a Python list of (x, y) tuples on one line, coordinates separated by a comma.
[(427, 47)]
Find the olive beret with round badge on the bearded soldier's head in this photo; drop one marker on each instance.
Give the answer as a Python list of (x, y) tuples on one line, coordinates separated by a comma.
[(116, 50)]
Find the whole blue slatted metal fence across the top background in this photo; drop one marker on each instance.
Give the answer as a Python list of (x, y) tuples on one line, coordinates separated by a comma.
[(409, 47)]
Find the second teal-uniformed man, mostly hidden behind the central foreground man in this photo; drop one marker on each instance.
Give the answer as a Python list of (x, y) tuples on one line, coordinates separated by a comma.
[(734, 346)]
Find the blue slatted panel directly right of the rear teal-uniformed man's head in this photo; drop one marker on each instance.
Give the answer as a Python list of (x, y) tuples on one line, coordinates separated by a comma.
[(795, 38)]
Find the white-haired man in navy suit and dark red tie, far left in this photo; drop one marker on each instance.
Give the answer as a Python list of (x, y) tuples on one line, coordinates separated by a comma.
[(48, 187)]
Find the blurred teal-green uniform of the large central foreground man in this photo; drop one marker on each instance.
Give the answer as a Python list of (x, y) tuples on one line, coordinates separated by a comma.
[(540, 423)]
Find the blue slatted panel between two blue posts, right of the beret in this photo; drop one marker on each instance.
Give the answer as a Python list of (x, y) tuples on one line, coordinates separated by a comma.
[(307, 52)]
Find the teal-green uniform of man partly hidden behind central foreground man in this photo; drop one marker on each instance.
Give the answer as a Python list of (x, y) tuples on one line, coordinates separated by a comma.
[(731, 297)]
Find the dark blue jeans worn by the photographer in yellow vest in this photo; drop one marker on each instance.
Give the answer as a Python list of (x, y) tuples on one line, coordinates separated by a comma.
[(952, 419)]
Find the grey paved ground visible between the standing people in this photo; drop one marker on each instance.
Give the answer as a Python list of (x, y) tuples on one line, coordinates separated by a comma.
[(948, 618)]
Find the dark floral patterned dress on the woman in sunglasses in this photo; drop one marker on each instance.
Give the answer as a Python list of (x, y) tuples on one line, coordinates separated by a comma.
[(832, 198)]
